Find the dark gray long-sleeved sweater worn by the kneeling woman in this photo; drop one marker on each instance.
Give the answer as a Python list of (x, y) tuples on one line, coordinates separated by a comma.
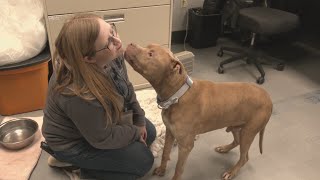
[(69, 120)]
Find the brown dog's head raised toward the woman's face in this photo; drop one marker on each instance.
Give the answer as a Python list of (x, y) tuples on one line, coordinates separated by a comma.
[(153, 62)]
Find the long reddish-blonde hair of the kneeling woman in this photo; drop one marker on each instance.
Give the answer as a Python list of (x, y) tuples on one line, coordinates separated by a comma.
[(76, 77)]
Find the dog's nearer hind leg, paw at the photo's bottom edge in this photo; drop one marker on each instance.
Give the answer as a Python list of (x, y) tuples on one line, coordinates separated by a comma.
[(246, 138)]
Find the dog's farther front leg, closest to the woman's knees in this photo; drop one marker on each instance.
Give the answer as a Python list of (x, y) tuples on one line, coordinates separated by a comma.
[(169, 139)]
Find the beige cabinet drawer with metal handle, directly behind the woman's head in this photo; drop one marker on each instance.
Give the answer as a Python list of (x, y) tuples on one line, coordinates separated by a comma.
[(139, 25)]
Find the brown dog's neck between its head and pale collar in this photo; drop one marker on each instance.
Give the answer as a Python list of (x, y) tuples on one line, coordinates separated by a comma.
[(169, 85)]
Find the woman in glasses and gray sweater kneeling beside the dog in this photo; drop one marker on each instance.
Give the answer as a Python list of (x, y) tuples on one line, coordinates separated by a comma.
[(92, 118)]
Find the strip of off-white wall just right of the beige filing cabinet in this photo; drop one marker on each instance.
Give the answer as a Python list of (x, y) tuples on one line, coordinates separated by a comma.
[(179, 18)]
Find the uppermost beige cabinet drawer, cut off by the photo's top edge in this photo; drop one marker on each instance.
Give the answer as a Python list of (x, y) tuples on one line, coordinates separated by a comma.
[(72, 6)]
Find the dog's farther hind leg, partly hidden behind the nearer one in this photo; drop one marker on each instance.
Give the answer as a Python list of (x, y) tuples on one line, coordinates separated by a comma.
[(236, 135)]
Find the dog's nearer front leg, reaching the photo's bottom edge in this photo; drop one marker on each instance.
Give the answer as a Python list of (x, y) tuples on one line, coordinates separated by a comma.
[(185, 145)]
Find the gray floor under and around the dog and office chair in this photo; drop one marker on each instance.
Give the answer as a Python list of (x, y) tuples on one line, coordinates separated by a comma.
[(292, 138)]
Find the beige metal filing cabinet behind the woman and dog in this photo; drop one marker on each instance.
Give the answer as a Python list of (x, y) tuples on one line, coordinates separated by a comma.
[(139, 21)]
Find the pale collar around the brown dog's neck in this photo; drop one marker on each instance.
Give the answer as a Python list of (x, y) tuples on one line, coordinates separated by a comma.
[(175, 97)]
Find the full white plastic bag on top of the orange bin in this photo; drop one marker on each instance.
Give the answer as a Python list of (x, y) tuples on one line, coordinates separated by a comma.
[(22, 30)]
